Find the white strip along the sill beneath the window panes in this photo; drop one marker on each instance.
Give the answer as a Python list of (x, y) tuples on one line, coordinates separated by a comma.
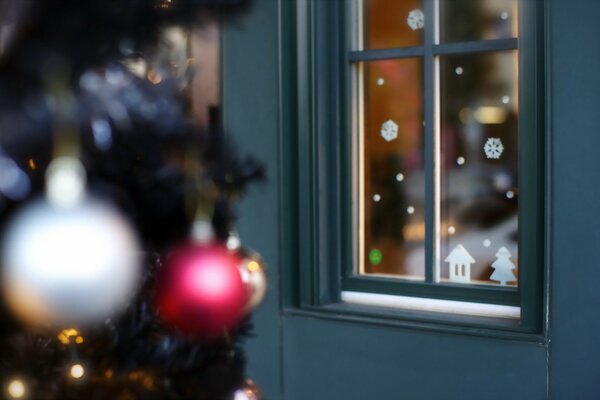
[(432, 305)]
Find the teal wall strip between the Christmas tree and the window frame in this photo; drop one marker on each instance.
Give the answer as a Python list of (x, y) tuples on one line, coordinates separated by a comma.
[(250, 71)]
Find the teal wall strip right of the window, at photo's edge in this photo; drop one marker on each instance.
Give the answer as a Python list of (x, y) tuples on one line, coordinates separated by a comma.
[(575, 215)]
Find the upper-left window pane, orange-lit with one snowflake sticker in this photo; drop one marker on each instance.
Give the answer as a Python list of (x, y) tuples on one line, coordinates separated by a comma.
[(392, 23)]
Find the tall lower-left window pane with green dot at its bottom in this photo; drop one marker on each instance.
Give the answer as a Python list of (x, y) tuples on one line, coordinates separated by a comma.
[(393, 195)]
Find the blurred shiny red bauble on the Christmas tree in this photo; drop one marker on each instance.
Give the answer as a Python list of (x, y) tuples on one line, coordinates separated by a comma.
[(200, 290)]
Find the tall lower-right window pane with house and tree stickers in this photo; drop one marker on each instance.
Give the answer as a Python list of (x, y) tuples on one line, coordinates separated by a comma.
[(479, 152)]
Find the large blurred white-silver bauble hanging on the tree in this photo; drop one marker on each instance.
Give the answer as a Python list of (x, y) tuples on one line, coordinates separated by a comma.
[(68, 259)]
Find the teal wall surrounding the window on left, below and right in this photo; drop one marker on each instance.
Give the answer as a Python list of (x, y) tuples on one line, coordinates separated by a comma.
[(305, 356)]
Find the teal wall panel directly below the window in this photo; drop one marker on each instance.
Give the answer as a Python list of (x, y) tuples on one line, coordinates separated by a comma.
[(330, 360)]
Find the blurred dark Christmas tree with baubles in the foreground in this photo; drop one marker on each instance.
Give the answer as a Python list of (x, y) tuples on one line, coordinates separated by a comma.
[(121, 275)]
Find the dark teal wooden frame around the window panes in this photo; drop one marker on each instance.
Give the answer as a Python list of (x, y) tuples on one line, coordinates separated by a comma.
[(317, 153)]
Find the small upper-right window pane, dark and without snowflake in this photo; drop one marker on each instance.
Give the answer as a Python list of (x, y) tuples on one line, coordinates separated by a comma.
[(469, 20)]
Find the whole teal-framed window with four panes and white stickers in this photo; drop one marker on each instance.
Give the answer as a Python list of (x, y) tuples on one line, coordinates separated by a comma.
[(420, 156)]
